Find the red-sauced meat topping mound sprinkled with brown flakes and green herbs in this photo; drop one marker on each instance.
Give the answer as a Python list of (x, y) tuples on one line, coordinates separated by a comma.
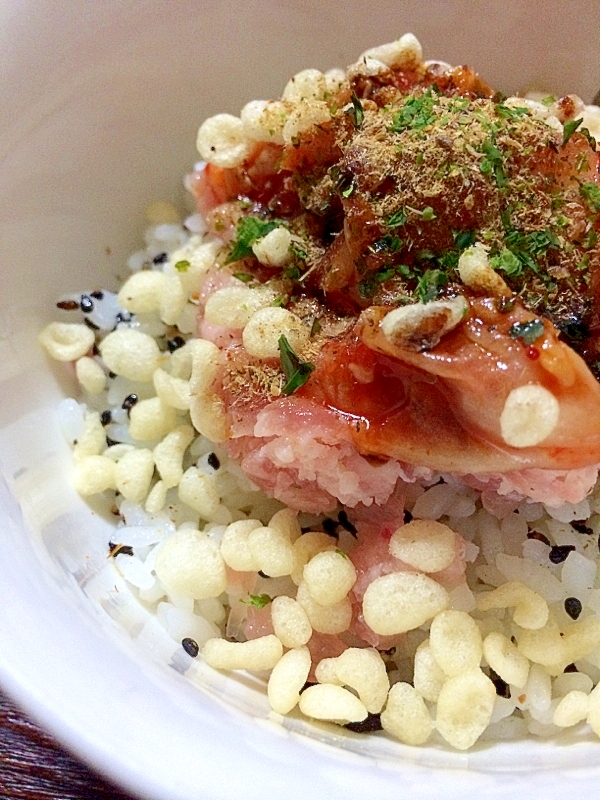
[(414, 257)]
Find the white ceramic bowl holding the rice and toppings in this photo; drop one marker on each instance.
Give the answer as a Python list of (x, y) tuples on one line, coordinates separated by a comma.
[(100, 103)]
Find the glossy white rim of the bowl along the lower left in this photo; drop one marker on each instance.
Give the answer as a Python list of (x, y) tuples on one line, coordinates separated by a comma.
[(114, 710)]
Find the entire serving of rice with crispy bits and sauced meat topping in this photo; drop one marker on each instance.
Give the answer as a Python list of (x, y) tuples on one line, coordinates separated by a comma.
[(384, 315)]
